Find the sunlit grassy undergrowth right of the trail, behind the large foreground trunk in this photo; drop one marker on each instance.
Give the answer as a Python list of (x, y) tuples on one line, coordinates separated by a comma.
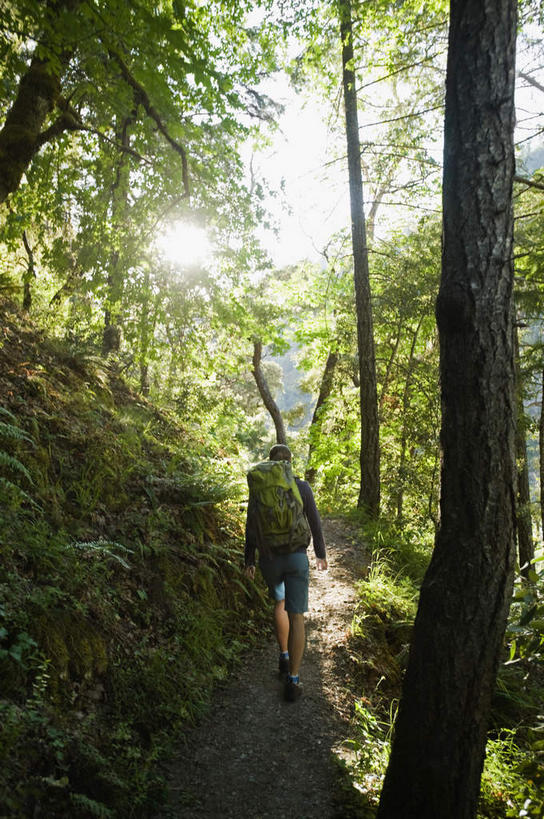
[(513, 779)]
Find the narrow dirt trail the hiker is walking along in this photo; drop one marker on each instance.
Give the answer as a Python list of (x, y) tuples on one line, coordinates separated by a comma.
[(255, 755)]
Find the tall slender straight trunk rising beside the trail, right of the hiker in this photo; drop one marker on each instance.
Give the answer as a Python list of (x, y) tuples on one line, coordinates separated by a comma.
[(369, 495)]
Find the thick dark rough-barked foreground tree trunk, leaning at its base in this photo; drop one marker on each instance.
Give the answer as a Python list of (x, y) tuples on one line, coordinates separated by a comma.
[(439, 743)]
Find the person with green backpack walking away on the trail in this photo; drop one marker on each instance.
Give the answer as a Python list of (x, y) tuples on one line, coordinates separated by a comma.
[(279, 523)]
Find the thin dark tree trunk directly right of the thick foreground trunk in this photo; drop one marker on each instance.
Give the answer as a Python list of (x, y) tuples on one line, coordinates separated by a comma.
[(526, 548)]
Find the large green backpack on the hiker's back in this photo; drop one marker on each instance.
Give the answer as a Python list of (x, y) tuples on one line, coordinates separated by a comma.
[(274, 497)]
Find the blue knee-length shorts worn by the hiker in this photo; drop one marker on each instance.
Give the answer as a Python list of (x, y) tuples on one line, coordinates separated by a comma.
[(287, 577)]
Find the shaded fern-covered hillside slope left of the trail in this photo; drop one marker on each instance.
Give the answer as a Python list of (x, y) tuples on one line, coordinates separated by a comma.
[(120, 581)]
